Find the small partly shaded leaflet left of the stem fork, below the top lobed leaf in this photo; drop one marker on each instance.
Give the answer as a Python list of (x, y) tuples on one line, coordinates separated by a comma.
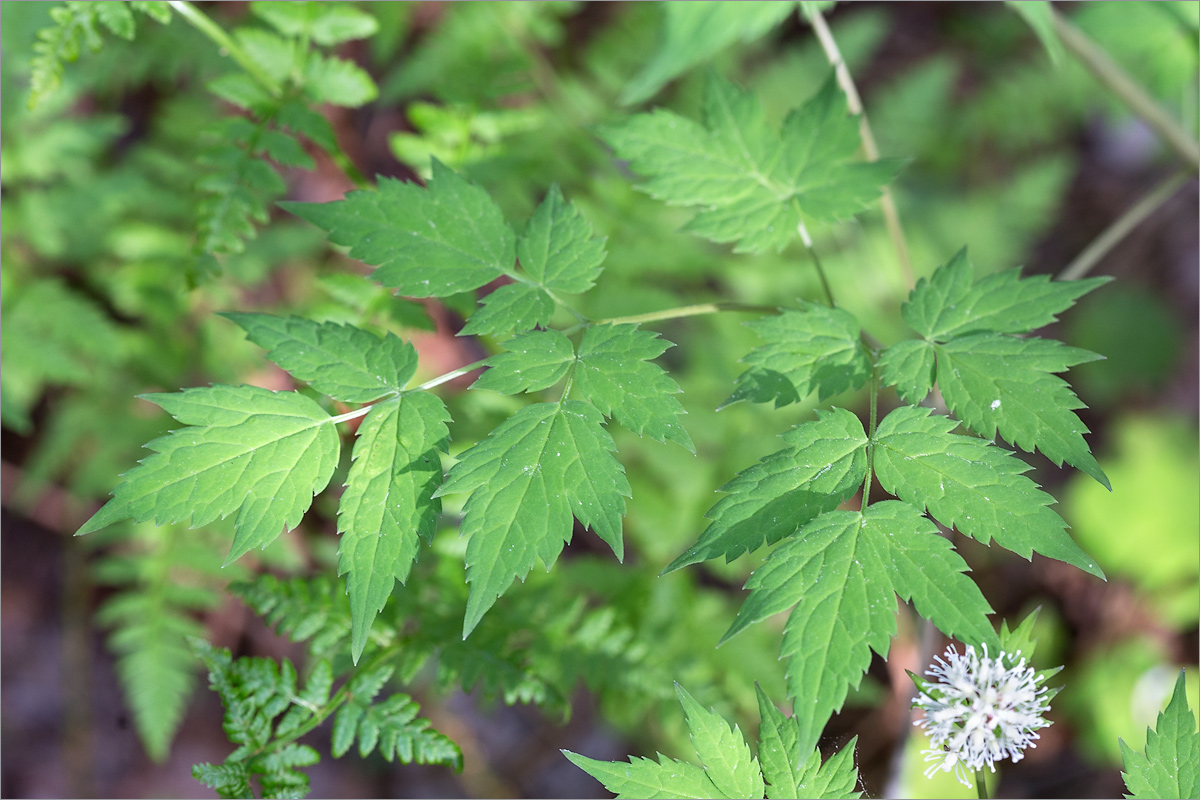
[(815, 348)]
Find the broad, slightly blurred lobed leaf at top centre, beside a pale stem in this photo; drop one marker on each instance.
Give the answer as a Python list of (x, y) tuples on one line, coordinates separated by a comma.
[(754, 187)]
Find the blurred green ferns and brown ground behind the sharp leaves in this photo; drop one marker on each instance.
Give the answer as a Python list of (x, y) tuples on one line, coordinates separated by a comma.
[(139, 200)]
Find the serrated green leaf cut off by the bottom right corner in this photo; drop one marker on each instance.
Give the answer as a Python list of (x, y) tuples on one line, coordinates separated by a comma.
[(1171, 766)]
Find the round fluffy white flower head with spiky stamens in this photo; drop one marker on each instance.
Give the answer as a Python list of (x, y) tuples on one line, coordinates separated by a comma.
[(980, 711)]
